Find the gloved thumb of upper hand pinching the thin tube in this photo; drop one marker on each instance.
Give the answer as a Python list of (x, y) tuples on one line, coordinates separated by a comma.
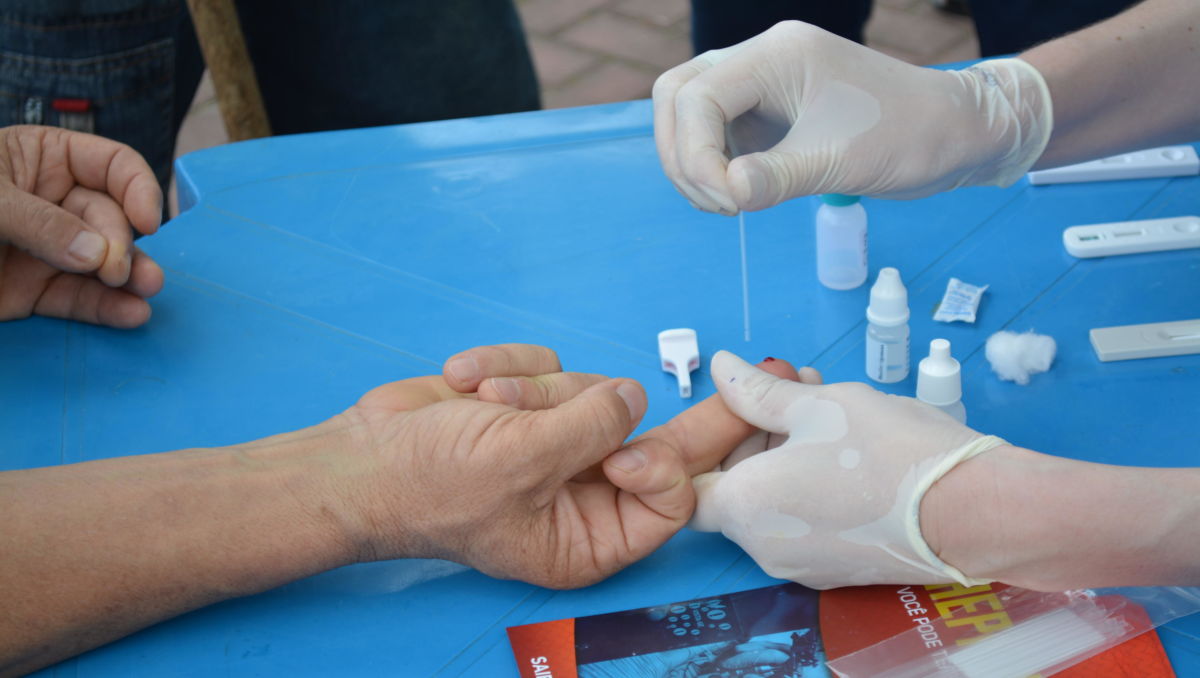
[(761, 181)]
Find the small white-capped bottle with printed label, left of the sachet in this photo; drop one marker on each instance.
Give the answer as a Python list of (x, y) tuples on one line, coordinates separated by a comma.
[(887, 329)]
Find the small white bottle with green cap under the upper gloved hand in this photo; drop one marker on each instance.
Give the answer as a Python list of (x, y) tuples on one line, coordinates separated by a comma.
[(842, 242)]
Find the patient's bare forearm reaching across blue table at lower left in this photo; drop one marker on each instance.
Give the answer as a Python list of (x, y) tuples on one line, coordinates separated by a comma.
[(92, 553)]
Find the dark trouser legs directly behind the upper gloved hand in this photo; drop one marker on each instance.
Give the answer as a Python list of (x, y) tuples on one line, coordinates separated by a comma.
[(1005, 27)]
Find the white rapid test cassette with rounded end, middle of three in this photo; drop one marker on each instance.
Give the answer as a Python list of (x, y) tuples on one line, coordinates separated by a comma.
[(1132, 237)]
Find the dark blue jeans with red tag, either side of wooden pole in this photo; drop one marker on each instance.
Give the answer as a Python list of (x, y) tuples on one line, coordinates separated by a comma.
[(321, 65)]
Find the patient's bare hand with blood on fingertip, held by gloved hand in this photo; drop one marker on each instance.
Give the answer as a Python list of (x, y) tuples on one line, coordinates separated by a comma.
[(520, 471)]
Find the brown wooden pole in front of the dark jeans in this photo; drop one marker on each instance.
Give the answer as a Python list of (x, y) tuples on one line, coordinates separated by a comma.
[(233, 75)]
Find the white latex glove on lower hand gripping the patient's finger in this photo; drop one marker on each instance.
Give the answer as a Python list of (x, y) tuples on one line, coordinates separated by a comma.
[(839, 502)]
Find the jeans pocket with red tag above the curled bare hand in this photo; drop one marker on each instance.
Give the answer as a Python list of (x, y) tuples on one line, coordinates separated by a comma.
[(125, 95)]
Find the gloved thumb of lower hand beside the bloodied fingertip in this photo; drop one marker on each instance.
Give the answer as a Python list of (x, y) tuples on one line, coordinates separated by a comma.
[(771, 404)]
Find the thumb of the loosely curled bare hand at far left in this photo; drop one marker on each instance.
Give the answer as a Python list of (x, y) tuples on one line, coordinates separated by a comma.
[(50, 233)]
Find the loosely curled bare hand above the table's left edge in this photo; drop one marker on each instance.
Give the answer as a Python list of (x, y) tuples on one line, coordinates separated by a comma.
[(67, 205)]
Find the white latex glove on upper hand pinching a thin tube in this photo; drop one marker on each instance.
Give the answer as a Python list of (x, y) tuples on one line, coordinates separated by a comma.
[(803, 112)]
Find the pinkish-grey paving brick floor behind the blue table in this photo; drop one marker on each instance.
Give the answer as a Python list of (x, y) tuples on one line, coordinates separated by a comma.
[(601, 51)]
